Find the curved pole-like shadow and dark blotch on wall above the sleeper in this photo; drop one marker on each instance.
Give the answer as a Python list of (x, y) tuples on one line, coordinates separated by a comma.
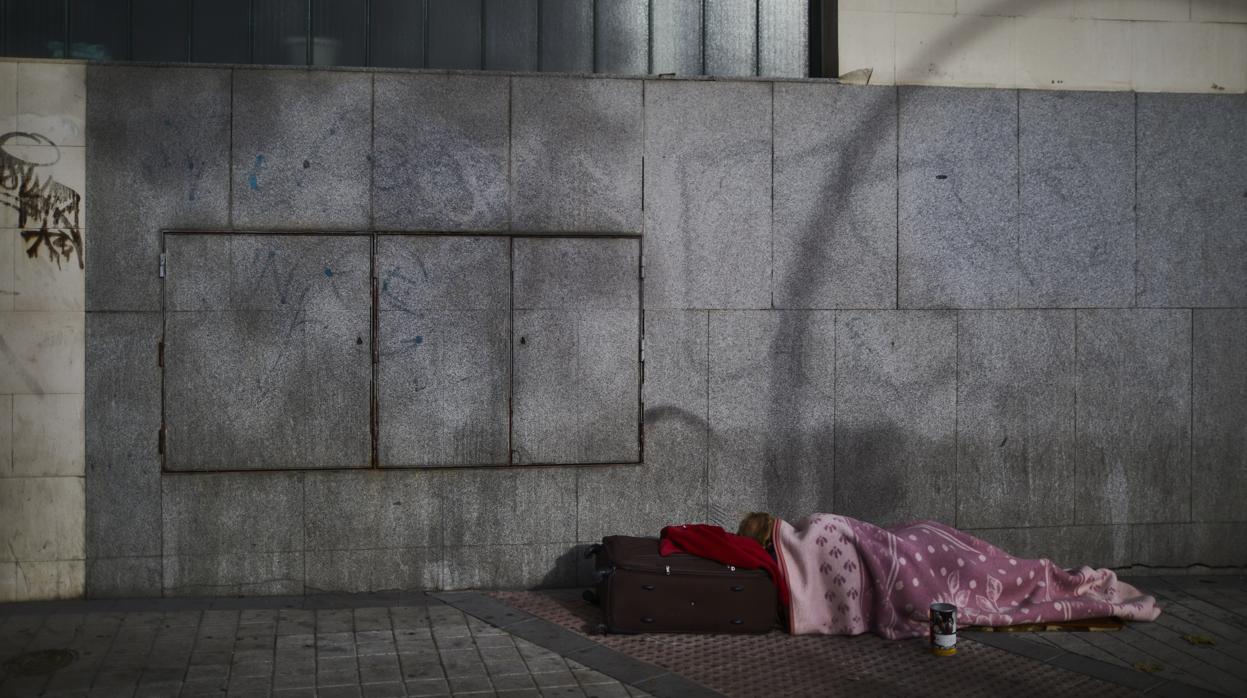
[(792, 484)]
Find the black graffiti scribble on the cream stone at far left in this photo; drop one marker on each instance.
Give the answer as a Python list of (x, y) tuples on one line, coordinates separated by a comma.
[(41, 201)]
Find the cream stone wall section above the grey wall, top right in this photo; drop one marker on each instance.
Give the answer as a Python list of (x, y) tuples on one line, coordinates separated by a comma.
[(1144, 45)]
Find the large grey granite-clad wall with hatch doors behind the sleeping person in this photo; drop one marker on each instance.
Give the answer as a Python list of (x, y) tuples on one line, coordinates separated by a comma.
[(1021, 313)]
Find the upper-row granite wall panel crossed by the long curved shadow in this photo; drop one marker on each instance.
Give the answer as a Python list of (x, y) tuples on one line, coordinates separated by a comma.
[(835, 196)]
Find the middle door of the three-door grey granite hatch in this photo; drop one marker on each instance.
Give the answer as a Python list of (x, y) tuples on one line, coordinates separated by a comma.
[(445, 367)]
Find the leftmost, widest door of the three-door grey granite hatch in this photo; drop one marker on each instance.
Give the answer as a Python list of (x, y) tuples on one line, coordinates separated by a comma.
[(296, 337)]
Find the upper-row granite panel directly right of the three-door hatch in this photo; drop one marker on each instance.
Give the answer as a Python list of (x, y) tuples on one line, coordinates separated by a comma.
[(708, 195)]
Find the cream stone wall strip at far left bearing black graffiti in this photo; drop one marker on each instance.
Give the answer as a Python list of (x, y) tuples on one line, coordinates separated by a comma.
[(43, 168)]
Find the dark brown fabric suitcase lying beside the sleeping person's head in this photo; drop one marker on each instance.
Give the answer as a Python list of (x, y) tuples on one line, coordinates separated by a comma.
[(643, 591)]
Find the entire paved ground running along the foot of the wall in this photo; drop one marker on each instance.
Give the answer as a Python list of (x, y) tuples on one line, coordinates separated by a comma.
[(547, 644)]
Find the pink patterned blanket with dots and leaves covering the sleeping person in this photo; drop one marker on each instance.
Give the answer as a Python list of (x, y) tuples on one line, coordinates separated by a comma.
[(849, 578)]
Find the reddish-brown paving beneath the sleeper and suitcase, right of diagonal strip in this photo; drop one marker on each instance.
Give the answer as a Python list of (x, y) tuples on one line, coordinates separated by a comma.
[(1198, 648)]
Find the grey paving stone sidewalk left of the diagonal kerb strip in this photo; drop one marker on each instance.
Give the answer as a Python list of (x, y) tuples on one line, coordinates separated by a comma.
[(360, 646)]
